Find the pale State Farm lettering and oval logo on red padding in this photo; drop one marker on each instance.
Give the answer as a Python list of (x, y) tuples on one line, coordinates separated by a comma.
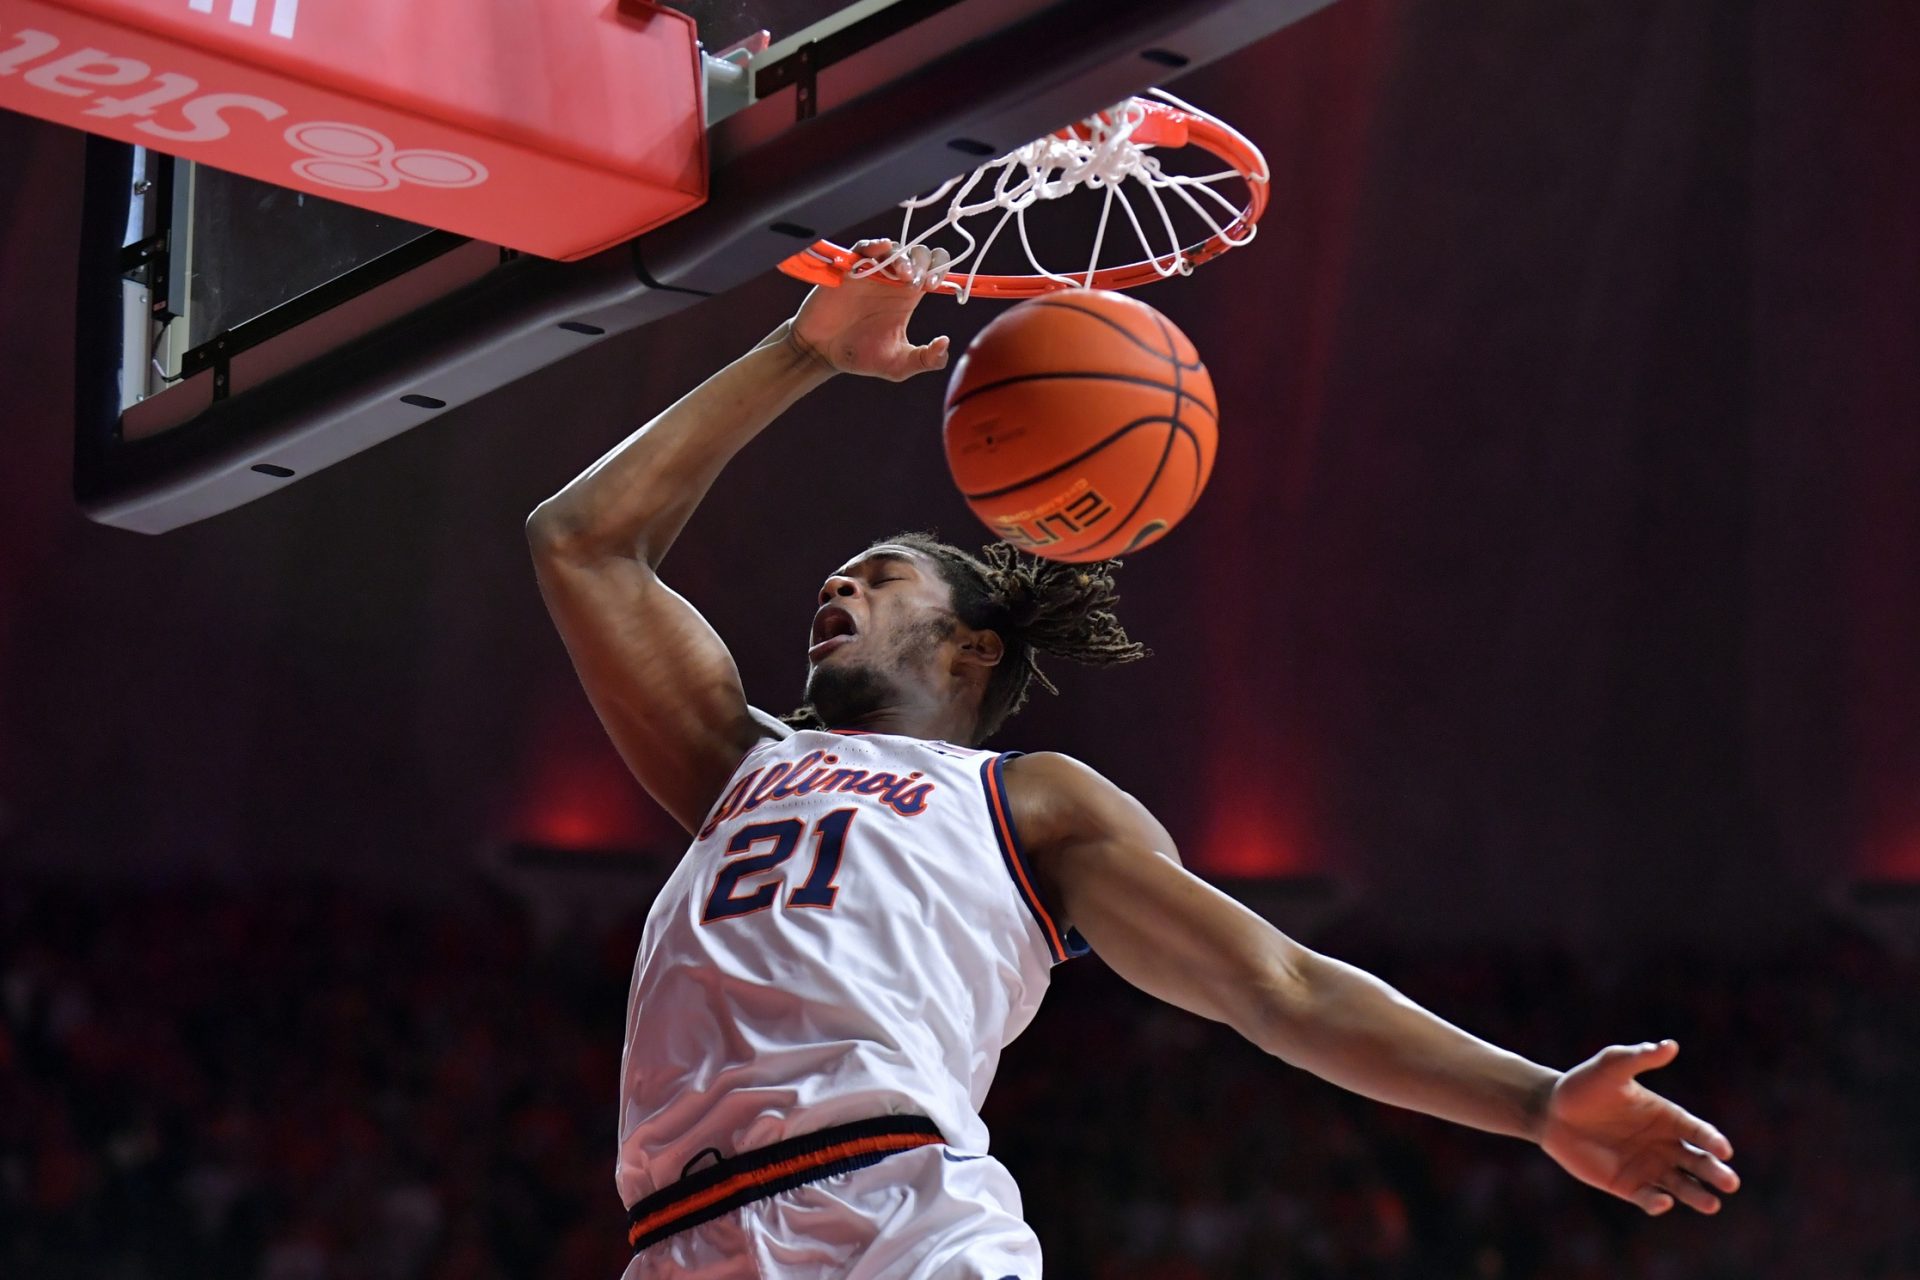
[(172, 107)]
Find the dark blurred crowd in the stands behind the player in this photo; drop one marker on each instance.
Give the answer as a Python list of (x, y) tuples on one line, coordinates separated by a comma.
[(300, 1083)]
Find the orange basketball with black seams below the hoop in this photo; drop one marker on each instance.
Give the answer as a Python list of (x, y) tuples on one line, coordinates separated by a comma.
[(1080, 425)]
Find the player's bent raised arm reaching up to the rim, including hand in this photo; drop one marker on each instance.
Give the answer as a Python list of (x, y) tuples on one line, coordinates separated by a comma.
[(656, 671)]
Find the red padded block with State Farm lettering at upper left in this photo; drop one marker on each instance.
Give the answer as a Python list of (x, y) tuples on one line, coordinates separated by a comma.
[(556, 128)]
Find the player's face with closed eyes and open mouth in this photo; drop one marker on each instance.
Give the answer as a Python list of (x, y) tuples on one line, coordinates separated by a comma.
[(880, 632)]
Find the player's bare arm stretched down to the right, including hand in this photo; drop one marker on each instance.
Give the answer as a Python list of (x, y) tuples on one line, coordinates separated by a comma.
[(1113, 874)]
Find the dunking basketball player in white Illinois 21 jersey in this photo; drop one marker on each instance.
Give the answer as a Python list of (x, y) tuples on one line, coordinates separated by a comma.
[(873, 901)]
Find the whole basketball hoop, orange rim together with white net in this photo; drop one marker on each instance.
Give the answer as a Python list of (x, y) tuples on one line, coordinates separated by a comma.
[(1111, 153)]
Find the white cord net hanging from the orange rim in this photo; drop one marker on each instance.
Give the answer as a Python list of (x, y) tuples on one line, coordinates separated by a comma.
[(1103, 154)]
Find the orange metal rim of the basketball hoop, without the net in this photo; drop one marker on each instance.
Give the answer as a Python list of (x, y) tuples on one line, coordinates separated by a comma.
[(828, 264)]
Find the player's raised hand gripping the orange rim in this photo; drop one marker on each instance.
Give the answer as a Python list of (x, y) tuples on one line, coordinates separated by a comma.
[(859, 327)]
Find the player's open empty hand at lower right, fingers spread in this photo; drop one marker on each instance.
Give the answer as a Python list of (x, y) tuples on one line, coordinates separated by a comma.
[(1610, 1131)]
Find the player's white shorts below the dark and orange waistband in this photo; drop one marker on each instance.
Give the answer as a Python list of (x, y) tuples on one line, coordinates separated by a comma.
[(928, 1214)]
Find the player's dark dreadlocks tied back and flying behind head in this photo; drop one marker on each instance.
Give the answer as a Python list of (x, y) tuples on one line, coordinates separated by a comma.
[(1038, 607)]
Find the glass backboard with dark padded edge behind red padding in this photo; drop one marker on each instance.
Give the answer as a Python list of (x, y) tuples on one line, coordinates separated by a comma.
[(237, 337)]
